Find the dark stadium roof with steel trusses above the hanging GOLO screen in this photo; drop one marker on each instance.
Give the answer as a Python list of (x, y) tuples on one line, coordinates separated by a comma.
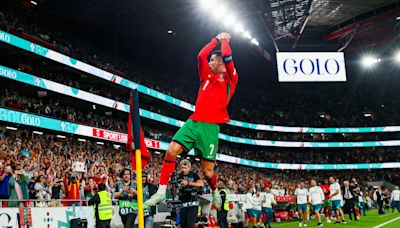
[(137, 29)]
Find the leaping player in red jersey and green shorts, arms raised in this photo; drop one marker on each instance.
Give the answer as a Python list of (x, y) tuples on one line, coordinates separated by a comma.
[(218, 79)]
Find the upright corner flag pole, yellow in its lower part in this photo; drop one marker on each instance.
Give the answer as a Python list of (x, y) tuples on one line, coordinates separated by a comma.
[(138, 155)]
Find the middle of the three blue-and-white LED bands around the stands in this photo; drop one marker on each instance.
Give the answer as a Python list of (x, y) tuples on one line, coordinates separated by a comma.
[(86, 96)]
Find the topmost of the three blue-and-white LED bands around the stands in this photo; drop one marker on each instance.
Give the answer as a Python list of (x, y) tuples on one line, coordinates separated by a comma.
[(95, 71)]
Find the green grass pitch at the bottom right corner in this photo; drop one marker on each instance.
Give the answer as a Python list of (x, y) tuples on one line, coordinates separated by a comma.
[(371, 220)]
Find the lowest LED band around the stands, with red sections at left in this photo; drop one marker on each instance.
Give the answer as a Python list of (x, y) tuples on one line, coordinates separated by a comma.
[(36, 121)]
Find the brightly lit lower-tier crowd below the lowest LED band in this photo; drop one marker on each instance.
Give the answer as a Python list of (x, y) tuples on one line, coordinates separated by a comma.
[(43, 167)]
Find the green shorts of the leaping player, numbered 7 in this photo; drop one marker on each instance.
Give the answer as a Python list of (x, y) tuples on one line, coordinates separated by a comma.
[(200, 136)]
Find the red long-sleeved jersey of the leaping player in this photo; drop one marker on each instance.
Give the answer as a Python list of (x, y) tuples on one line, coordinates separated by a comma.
[(215, 92)]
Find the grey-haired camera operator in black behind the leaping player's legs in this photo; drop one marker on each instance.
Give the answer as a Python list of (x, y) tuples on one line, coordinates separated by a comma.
[(189, 186)]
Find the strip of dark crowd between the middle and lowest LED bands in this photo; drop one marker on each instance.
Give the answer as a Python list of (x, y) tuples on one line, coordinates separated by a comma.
[(53, 108)]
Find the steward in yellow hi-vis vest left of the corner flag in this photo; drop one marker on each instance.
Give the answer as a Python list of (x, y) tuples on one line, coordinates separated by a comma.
[(102, 207)]
